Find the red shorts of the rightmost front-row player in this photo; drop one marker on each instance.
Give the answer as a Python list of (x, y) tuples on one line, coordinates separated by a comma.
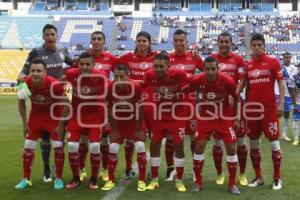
[(222, 129)]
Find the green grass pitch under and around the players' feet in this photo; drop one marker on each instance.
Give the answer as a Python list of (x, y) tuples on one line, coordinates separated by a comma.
[(11, 149)]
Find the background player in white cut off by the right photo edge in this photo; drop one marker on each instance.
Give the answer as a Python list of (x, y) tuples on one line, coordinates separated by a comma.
[(294, 87)]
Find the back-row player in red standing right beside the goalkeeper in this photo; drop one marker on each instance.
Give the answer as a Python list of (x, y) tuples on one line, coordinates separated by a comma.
[(104, 62)]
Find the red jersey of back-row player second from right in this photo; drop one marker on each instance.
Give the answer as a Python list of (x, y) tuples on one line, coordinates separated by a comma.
[(232, 65)]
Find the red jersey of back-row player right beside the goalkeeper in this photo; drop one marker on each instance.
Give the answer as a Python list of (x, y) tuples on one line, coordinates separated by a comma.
[(105, 63)]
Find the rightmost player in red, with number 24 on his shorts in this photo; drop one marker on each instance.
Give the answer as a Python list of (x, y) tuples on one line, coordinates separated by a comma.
[(262, 72)]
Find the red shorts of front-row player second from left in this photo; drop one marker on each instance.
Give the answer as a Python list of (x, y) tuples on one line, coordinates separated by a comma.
[(75, 131)]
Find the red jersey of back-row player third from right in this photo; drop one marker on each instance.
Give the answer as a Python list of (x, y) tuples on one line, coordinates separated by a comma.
[(186, 62)]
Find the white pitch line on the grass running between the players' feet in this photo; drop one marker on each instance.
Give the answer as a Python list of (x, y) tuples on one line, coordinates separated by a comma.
[(122, 184)]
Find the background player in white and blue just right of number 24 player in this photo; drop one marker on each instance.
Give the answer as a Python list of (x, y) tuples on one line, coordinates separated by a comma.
[(289, 71)]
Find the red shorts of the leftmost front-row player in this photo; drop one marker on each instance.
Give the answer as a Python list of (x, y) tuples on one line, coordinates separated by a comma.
[(39, 124)]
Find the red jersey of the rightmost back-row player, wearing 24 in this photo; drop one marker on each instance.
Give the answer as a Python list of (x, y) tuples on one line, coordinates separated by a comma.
[(261, 76)]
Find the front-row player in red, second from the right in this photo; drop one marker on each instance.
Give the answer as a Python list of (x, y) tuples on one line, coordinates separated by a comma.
[(164, 113)]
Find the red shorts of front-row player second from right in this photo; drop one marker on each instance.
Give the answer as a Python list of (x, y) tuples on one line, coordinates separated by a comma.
[(177, 134)]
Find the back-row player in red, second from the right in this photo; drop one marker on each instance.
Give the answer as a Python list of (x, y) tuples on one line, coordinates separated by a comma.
[(232, 65)]
